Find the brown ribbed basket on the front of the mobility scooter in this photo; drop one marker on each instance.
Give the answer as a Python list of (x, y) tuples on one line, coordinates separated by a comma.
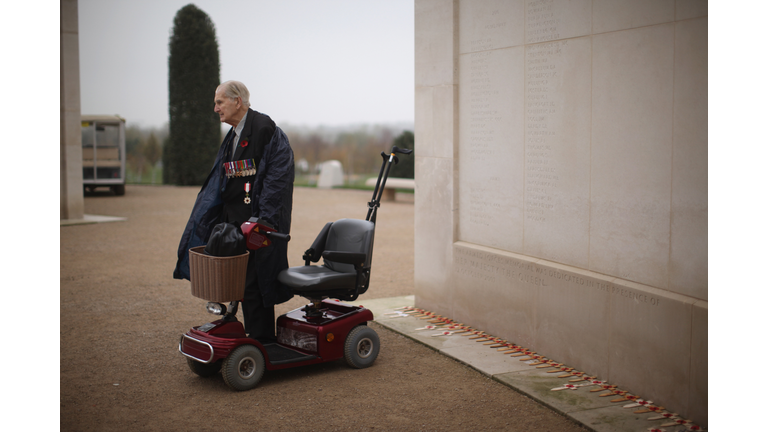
[(219, 279)]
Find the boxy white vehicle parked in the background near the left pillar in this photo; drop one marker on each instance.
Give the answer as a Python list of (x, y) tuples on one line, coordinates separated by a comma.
[(103, 152)]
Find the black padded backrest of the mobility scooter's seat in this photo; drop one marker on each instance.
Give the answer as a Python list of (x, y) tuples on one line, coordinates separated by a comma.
[(349, 235)]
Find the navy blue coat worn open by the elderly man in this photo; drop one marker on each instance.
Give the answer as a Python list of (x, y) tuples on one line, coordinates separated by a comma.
[(272, 200)]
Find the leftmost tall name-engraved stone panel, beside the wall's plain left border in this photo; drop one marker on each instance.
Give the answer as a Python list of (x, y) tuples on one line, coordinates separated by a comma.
[(491, 147)]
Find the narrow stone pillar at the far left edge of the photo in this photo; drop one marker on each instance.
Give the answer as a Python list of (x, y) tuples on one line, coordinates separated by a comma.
[(71, 156)]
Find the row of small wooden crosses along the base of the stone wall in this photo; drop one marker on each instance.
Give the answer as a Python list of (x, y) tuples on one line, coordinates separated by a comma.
[(449, 327)]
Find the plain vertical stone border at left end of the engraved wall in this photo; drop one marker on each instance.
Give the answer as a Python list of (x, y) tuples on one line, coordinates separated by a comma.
[(436, 129)]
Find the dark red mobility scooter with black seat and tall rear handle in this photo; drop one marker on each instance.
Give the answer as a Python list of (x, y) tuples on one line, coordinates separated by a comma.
[(324, 330)]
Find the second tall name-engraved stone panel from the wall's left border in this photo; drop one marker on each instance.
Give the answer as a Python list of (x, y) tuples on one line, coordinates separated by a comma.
[(557, 139)]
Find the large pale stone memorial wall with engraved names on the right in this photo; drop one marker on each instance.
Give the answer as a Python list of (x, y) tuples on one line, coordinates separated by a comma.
[(561, 173)]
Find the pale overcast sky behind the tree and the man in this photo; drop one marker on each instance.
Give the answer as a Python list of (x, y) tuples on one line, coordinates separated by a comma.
[(305, 62)]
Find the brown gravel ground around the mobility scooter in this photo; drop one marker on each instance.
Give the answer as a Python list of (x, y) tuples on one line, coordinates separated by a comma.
[(122, 314)]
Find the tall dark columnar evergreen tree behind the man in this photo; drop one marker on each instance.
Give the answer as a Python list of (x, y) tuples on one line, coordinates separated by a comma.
[(193, 74)]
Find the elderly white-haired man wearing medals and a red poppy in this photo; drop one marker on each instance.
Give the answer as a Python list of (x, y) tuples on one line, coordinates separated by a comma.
[(252, 176)]
